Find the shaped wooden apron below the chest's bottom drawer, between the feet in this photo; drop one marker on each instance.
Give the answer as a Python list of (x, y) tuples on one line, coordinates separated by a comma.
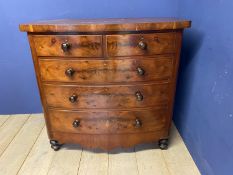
[(109, 141)]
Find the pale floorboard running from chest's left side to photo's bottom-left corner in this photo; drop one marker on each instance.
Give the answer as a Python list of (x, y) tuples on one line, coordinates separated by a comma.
[(15, 154)]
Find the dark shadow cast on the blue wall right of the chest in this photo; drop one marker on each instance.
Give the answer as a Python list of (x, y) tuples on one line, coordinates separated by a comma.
[(192, 42)]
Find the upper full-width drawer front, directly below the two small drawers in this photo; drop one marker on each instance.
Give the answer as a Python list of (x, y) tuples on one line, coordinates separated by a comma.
[(97, 71)]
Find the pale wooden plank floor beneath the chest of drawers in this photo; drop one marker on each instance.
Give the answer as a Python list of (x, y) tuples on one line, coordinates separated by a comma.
[(25, 150)]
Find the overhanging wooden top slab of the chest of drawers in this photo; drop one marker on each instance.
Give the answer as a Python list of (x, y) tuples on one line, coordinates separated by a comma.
[(105, 25)]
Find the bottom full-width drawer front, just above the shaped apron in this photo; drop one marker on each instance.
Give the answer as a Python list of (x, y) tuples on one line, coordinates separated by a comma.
[(107, 122)]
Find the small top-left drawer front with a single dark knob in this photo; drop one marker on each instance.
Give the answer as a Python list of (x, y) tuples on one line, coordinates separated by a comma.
[(68, 45)]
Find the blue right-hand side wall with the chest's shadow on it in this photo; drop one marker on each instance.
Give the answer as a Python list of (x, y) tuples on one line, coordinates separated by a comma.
[(204, 102)]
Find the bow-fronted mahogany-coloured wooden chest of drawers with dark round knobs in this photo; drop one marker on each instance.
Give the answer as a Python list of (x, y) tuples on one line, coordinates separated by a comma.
[(107, 83)]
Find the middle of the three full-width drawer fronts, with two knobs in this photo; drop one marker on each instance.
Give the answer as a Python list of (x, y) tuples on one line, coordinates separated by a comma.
[(112, 96)]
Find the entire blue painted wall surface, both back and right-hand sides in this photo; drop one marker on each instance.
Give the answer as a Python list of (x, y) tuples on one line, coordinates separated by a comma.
[(203, 109)]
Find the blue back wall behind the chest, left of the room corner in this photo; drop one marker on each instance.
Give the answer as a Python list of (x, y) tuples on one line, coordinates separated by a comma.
[(18, 89)]
